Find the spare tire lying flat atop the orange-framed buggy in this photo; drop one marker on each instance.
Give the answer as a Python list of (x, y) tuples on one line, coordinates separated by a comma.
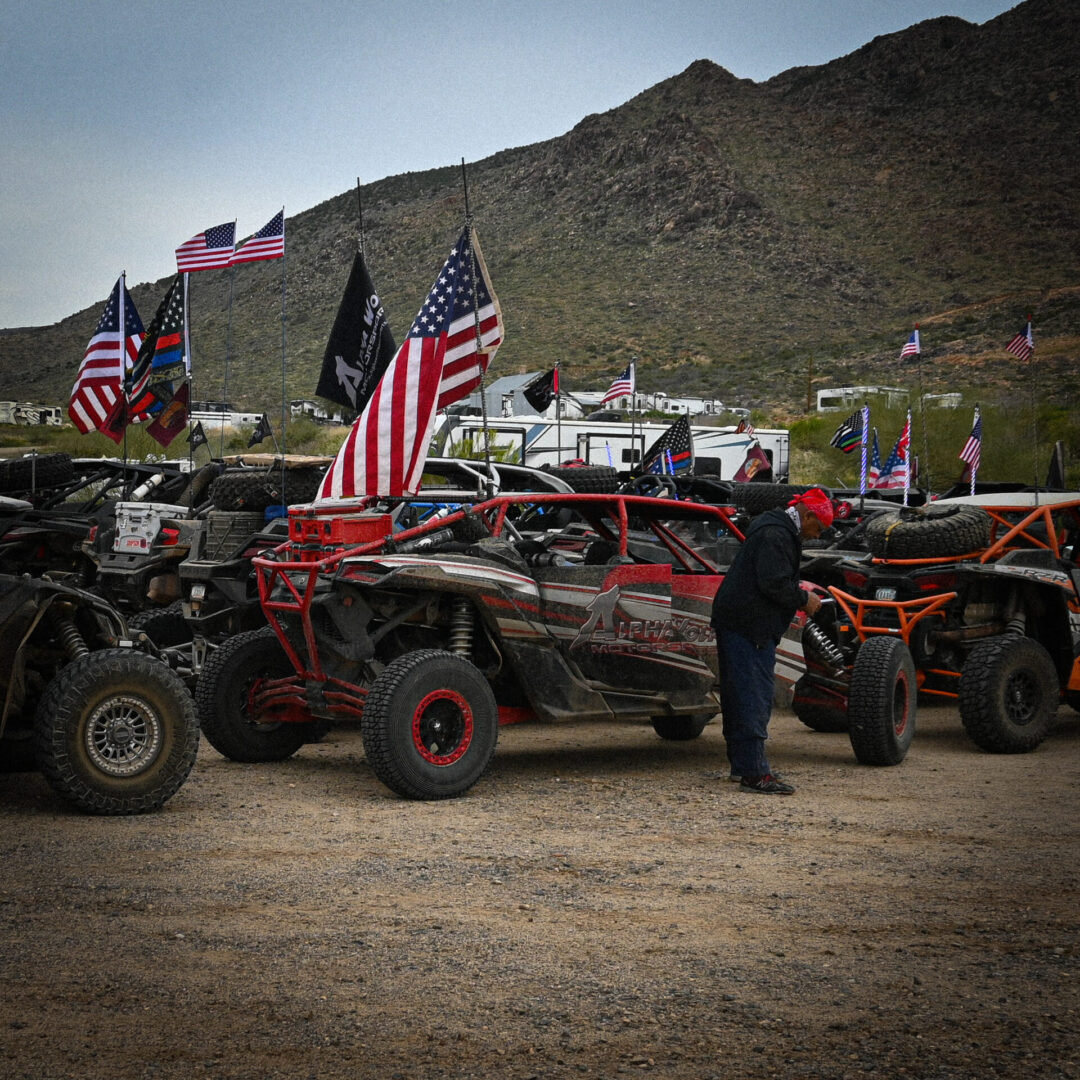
[(928, 532)]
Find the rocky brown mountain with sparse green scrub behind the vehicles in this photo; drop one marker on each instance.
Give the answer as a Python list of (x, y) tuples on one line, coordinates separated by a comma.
[(742, 239)]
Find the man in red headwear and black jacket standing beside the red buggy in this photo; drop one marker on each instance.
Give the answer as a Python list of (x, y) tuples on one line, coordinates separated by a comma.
[(753, 607)]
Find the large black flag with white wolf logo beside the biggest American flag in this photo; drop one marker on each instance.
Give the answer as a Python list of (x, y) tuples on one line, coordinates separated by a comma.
[(360, 347)]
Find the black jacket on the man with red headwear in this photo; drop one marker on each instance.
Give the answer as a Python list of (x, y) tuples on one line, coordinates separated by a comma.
[(761, 592)]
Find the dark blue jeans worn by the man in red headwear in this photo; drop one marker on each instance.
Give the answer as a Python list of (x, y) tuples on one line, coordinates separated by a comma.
[(747, 682)]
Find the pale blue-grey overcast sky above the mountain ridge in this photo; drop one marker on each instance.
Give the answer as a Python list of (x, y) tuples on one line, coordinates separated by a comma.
[(127, 128)]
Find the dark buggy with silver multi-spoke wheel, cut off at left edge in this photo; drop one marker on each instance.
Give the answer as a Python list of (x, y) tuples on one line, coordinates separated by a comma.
[(113, 730)]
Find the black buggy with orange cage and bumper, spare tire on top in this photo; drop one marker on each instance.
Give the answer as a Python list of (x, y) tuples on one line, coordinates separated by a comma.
[(985, 593)]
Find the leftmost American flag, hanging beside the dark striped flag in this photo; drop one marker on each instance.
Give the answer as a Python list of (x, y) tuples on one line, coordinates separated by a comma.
[(99, 386)]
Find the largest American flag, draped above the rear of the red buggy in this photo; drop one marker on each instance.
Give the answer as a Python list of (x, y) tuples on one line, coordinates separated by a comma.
[(440, 362)]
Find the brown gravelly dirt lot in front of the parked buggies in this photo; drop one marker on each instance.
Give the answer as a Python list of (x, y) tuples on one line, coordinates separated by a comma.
[(602, 904)]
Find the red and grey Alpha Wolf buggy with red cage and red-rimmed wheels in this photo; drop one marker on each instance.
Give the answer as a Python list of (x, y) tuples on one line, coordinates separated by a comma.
[(546, 606)]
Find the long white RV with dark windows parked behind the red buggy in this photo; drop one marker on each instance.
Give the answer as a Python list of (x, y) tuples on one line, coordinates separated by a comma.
[(536, 441)]
